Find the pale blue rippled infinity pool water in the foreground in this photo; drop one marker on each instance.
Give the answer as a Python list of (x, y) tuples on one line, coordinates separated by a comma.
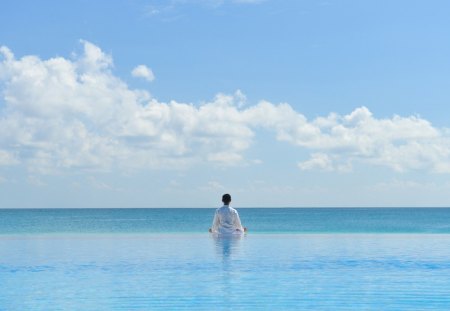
[(160, 271)]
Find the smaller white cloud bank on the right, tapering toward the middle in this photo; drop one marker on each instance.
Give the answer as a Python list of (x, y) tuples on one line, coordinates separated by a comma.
[(402, 143)]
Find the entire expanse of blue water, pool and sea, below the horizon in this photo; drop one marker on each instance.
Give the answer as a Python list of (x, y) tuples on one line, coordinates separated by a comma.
[(164, 259)]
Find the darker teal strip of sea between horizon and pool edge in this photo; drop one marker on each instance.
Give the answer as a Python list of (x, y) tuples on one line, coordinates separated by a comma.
[(197, 220)]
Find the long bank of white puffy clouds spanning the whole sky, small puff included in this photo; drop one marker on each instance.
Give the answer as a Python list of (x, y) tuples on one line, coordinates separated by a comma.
[(63, 113)]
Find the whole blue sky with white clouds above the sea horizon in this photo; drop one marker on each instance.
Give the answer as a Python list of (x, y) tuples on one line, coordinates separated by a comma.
[(171, 103)]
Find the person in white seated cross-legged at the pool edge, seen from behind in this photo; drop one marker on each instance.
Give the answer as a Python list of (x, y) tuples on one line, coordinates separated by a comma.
[(226, 220)]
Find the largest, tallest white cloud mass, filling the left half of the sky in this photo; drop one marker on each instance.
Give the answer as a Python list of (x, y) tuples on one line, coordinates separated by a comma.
[(60, 113)]
